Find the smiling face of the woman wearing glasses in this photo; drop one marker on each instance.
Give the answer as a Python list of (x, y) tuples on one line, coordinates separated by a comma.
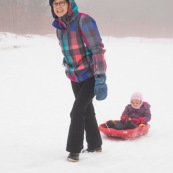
[(60, 7)]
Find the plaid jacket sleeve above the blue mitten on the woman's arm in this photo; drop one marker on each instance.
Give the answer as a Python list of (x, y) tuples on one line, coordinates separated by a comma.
[(93, 41)]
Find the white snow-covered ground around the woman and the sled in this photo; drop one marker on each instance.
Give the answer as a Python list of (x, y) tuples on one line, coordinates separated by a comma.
[(36, 98)]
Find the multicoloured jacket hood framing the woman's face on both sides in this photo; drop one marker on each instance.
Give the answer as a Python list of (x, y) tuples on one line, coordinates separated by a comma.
[(73, 8)]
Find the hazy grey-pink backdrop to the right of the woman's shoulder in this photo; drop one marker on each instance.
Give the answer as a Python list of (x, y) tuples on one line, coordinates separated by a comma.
[(149, 18)]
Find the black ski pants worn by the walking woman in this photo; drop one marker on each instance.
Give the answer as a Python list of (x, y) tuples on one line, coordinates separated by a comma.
[(83, 118)]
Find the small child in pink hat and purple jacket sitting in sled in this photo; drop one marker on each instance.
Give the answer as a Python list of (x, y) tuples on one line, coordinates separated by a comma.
[(135, 113)]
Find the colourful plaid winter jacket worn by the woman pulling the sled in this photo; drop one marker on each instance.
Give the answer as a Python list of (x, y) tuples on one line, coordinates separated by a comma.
[(81, 45)]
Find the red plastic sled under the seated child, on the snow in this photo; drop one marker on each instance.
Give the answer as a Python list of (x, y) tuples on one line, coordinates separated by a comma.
[(142, 129)]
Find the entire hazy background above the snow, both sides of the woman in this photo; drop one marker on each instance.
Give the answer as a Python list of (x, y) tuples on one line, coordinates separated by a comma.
[(119, 18)]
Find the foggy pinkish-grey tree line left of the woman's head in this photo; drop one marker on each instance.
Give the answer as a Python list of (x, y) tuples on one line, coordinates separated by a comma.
[(25, 16)]
